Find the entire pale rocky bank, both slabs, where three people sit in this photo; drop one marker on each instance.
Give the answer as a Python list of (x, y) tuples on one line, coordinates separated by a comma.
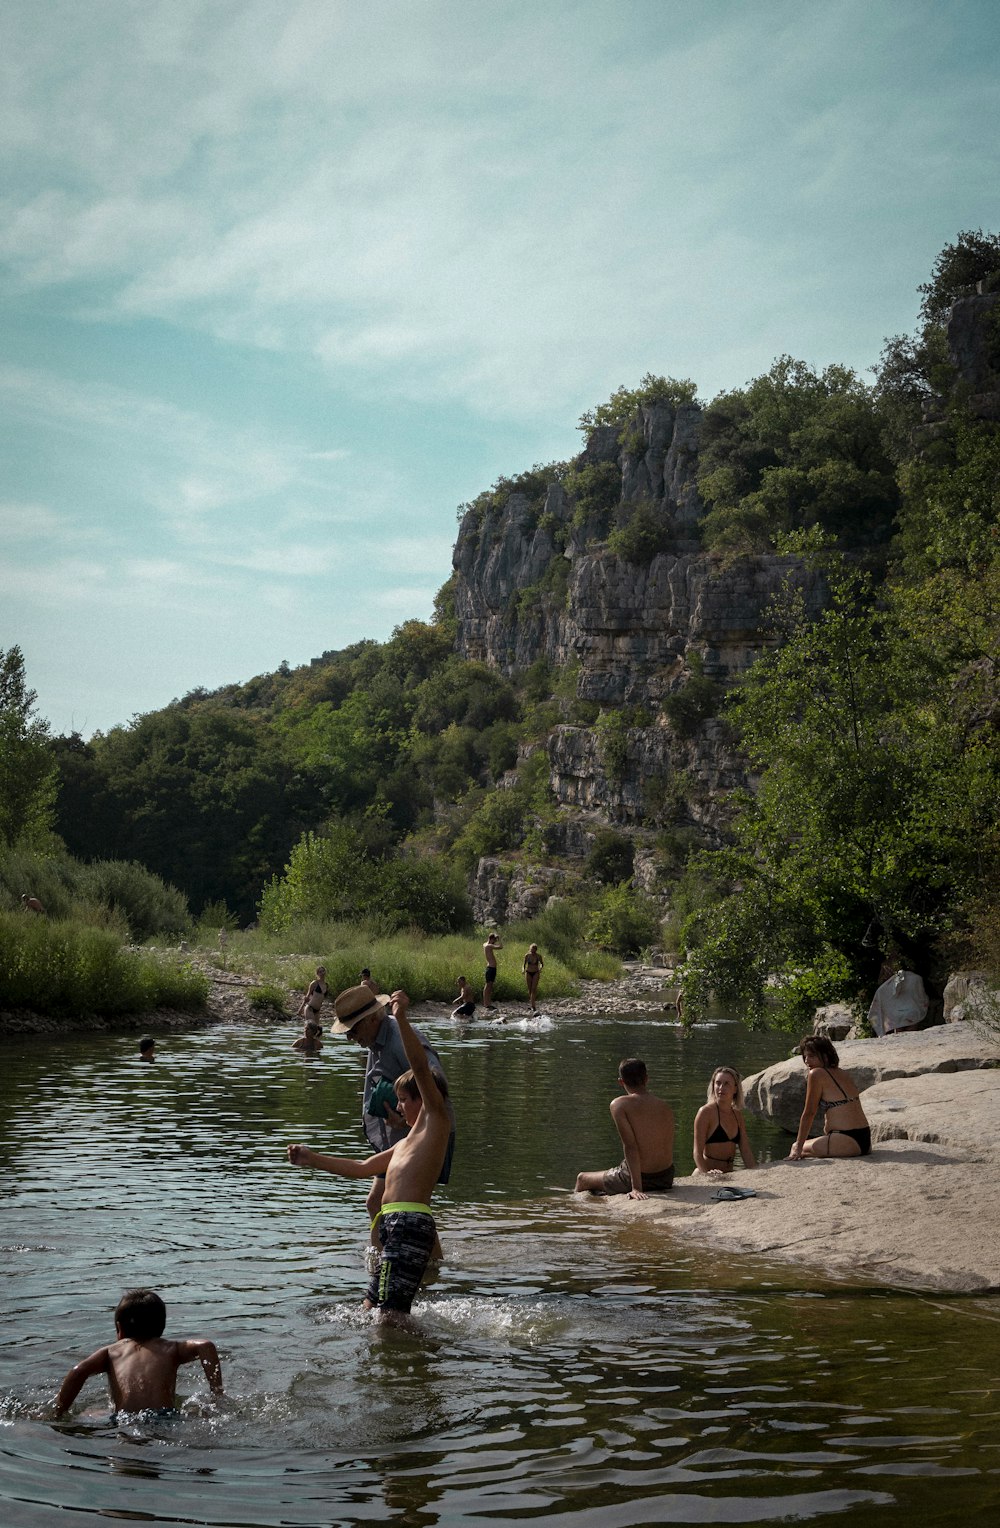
[(921, 1212)]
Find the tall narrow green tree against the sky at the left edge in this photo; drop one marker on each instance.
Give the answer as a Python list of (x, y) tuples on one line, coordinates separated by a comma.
[(28, 775)]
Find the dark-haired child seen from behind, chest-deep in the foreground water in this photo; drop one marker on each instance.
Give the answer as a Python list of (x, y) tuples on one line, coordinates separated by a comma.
[(141, 1367)]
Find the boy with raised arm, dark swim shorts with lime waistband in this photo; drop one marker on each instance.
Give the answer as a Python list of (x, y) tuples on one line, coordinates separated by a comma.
[(404, 1226)]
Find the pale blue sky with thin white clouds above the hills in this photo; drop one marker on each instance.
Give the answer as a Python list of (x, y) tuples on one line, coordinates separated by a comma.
[(287, 282)]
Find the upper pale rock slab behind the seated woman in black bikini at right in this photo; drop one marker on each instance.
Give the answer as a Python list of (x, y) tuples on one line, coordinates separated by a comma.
[(781, 1090)]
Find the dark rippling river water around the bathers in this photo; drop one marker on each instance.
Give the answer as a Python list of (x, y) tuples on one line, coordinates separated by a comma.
[(568, 1370)]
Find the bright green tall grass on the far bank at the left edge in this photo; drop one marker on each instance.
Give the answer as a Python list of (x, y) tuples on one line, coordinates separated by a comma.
[(60, 965)]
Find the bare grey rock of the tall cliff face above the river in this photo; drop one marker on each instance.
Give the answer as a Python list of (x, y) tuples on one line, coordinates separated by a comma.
[(541, 581)]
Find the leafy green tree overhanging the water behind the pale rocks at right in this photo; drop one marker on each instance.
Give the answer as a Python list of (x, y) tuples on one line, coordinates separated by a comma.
[(871, 814)]
